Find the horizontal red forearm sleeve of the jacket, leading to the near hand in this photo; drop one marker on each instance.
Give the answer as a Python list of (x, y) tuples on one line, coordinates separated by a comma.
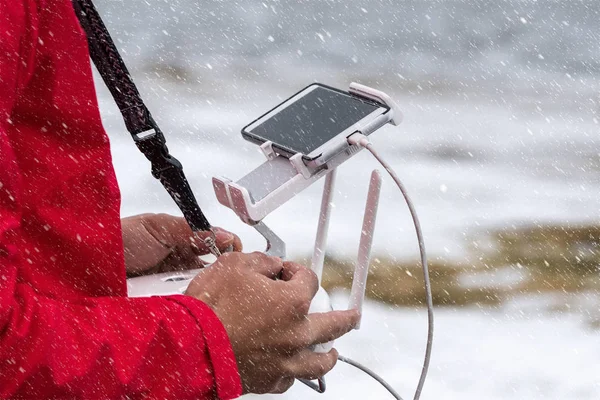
[(111, 348)]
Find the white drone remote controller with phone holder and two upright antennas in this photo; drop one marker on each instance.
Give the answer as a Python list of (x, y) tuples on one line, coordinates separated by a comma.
[(279, 179)]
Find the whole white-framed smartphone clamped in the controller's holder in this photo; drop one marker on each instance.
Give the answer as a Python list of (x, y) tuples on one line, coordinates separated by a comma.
[(315, 122)]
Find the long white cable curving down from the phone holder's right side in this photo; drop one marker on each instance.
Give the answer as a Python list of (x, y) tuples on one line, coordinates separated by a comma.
[(362, 140)]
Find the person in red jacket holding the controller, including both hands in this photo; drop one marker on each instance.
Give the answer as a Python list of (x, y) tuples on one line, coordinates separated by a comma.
[(67, 328)]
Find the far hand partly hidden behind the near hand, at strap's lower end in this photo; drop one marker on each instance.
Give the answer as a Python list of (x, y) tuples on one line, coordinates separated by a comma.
[(160, 243)]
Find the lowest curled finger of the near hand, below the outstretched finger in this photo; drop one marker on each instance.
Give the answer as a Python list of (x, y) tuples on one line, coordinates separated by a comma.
[(310, 365)]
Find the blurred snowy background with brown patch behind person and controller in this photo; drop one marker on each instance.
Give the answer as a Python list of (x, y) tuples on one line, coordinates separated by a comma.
[(499, 149)]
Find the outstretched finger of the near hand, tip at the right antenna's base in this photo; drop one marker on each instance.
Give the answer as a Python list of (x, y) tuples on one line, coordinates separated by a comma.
[(325, 327)]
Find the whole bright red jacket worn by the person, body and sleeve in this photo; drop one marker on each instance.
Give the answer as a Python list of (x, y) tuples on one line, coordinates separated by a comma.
[(67, 328)]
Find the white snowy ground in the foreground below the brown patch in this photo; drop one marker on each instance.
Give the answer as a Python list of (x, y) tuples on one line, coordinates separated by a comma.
[(478, 354)]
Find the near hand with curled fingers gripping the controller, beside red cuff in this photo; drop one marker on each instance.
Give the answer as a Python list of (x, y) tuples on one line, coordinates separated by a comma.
[(263, 303)]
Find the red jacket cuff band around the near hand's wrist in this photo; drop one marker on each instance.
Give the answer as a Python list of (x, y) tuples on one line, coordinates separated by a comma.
[(228, 382)]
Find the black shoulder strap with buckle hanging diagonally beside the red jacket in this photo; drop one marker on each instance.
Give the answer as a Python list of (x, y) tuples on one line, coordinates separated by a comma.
[(146, 134)]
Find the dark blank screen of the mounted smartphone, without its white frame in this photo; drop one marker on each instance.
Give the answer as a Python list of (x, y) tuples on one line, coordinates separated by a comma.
[(313, 120)]
